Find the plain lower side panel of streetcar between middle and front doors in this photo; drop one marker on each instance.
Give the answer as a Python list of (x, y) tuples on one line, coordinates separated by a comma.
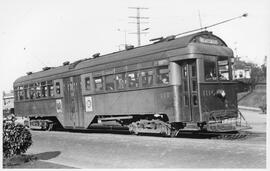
[(148, 101)]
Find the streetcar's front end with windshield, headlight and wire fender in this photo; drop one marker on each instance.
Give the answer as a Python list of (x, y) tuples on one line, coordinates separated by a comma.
[(218, 96)]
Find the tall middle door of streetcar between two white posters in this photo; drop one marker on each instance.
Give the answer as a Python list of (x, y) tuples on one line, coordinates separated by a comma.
[(73, 116)]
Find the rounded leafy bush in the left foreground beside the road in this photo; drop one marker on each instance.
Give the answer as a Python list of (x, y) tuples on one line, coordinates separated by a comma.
[(16, 138)]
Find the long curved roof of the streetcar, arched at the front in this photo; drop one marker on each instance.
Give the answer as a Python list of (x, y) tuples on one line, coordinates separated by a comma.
[(162, 46)]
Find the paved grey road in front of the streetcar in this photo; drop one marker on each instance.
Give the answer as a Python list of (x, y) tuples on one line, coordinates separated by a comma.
[(96, 150)]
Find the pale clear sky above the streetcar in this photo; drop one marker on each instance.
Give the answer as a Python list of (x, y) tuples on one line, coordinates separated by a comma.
[(39, 33)]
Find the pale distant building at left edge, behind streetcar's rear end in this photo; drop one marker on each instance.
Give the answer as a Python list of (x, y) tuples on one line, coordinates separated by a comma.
[(8, 103)]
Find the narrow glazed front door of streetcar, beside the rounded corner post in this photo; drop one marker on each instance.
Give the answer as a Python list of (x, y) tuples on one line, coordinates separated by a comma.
[(189, 92)]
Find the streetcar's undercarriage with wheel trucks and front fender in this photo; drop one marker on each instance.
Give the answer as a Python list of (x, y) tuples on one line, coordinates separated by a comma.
[(158, 124)]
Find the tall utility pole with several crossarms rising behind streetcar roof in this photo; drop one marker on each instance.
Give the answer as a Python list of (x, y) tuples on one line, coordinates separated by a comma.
[(138, 17)]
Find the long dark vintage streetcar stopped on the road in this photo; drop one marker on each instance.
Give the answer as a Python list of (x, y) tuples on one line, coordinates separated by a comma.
[(174, 84)]
